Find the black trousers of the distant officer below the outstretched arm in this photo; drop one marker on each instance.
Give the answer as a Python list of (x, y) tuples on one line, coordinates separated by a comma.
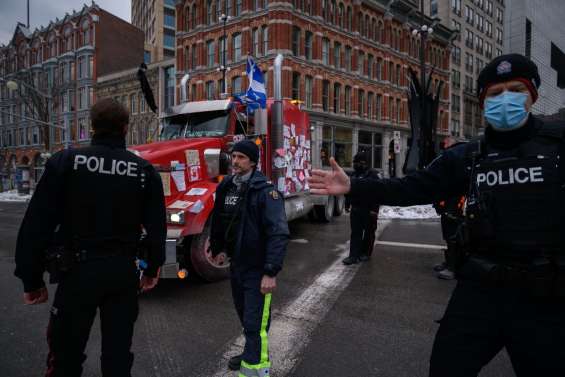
[(363, 227)]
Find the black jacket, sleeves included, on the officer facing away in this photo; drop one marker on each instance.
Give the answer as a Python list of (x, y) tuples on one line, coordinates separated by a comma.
[(98, 198)]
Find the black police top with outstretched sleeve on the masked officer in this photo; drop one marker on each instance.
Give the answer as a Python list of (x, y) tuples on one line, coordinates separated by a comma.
[(519, 175)]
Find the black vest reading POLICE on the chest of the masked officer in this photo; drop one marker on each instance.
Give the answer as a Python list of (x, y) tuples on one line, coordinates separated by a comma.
[(521, 193)]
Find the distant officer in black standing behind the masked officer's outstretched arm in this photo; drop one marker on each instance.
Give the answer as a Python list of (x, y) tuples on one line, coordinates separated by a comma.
[(363, 218)]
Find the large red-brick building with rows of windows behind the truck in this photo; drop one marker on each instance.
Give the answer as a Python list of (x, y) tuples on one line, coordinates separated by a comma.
[(347, 61)]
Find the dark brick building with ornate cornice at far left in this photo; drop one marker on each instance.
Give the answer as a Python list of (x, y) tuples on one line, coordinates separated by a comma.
[(63, 61)]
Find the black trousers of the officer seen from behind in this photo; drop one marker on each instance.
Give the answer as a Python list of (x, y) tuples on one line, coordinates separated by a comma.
[(108, 284)]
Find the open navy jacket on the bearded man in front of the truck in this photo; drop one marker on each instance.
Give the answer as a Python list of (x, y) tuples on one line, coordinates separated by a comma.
[(262, 229)]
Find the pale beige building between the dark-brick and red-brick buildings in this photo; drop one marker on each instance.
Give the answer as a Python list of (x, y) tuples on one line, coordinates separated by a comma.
[(124, 87)]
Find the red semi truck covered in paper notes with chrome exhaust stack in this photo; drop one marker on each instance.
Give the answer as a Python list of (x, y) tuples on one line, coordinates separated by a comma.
[(192, 157)]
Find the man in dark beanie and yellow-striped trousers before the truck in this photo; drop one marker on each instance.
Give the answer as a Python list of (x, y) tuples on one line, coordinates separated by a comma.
[(249, 224)]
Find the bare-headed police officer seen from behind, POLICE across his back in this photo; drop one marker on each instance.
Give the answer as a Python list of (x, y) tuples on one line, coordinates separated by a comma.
[(97, 198)]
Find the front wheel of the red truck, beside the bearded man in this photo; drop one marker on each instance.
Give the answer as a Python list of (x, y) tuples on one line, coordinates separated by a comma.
[(204, 265)]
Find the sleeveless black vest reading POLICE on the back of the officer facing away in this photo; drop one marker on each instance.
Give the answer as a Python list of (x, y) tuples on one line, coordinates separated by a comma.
[(105, 192)]
